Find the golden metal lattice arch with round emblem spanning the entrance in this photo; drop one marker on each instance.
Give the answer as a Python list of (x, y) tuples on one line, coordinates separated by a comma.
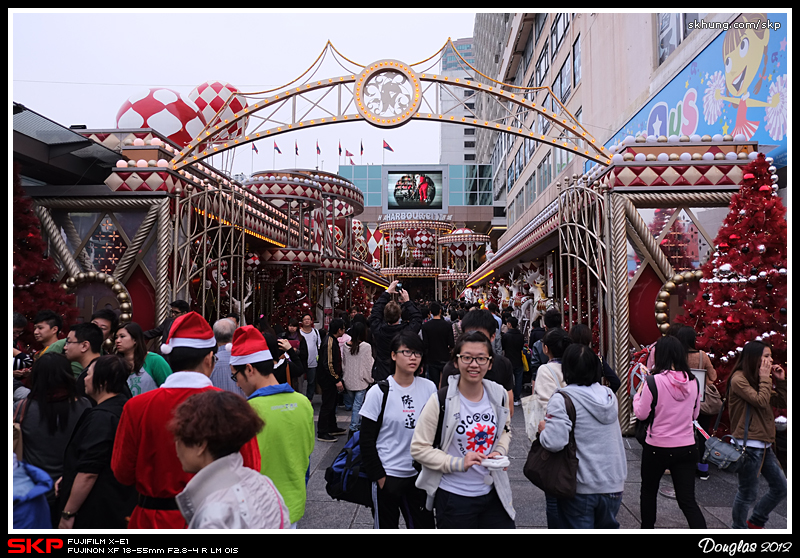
[(387, 94)]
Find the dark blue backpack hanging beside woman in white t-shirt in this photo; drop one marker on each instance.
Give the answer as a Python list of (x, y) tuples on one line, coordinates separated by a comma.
[(345, 479)]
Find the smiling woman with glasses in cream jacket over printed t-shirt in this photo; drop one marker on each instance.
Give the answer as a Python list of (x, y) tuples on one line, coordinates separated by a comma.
[(463, 463)]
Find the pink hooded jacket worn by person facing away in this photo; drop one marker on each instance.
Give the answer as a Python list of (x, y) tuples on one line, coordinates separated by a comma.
[(677, 406)]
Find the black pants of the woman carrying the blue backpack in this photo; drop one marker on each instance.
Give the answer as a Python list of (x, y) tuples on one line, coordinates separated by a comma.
[(400, 495)]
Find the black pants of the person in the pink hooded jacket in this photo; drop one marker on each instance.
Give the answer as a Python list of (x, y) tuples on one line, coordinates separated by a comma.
[(681, 462)]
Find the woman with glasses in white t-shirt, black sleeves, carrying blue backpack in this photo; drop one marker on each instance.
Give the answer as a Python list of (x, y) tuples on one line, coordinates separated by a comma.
[(388, 418)]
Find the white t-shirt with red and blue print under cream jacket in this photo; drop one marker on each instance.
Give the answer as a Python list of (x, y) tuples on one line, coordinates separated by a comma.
[(476, 430)]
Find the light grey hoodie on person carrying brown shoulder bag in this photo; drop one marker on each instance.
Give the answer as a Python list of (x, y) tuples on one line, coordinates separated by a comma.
[(602, 468)]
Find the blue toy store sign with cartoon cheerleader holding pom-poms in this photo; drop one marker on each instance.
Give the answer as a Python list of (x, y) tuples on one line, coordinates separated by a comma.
[(737, 86)]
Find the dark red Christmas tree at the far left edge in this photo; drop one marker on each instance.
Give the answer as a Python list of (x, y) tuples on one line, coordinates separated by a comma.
[(35, 285)]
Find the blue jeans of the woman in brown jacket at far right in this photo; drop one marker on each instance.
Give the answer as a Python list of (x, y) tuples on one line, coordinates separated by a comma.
[(748, 487)]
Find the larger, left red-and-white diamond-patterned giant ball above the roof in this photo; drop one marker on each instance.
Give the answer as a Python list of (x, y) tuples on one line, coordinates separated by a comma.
[(163, 110)]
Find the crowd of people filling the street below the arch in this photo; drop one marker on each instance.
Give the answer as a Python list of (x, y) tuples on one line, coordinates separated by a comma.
[(214, 427)]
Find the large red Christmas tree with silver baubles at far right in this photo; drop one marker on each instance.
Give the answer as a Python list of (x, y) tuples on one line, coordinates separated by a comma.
[(743, 290)]
